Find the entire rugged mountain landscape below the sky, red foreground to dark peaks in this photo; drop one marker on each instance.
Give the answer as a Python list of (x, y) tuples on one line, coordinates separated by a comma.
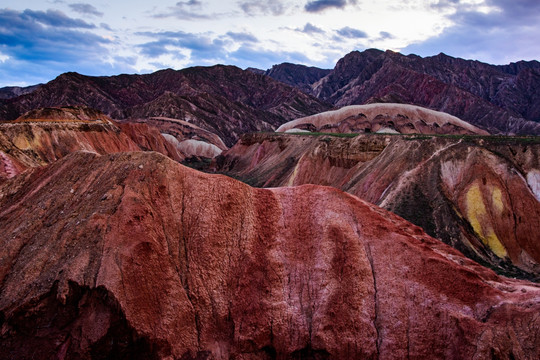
[(380, 214)]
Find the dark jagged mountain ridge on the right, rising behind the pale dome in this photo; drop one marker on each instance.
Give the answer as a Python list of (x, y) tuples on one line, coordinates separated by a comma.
[(500, 98)]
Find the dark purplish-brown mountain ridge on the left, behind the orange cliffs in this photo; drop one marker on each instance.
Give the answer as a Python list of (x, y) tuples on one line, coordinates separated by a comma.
[(224, 100)]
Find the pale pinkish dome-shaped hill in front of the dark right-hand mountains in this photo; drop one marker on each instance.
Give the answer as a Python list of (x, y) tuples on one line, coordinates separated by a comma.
[(396, 118)]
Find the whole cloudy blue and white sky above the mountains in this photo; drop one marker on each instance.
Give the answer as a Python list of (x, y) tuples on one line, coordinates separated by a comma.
[(41, 39)]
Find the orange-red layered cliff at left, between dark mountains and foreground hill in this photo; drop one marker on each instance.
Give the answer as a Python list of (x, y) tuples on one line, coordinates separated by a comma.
[(42, 136)]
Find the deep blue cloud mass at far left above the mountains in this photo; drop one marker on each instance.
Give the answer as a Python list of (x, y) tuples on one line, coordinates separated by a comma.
[(40, 45)]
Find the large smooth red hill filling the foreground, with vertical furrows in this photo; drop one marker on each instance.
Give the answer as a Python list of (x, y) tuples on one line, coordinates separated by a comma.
[(135, 256)]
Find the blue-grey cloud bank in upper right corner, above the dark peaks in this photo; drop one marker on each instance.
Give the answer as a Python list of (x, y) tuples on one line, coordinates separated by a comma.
[(493, 37)]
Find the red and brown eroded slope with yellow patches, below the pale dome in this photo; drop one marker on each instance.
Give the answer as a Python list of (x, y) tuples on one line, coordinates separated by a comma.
[(478, 194)]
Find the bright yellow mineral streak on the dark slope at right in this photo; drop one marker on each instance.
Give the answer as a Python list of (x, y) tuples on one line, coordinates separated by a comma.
[(476, 212)]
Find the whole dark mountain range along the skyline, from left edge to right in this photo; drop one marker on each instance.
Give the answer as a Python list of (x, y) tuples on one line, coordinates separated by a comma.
[(502, 99)]
